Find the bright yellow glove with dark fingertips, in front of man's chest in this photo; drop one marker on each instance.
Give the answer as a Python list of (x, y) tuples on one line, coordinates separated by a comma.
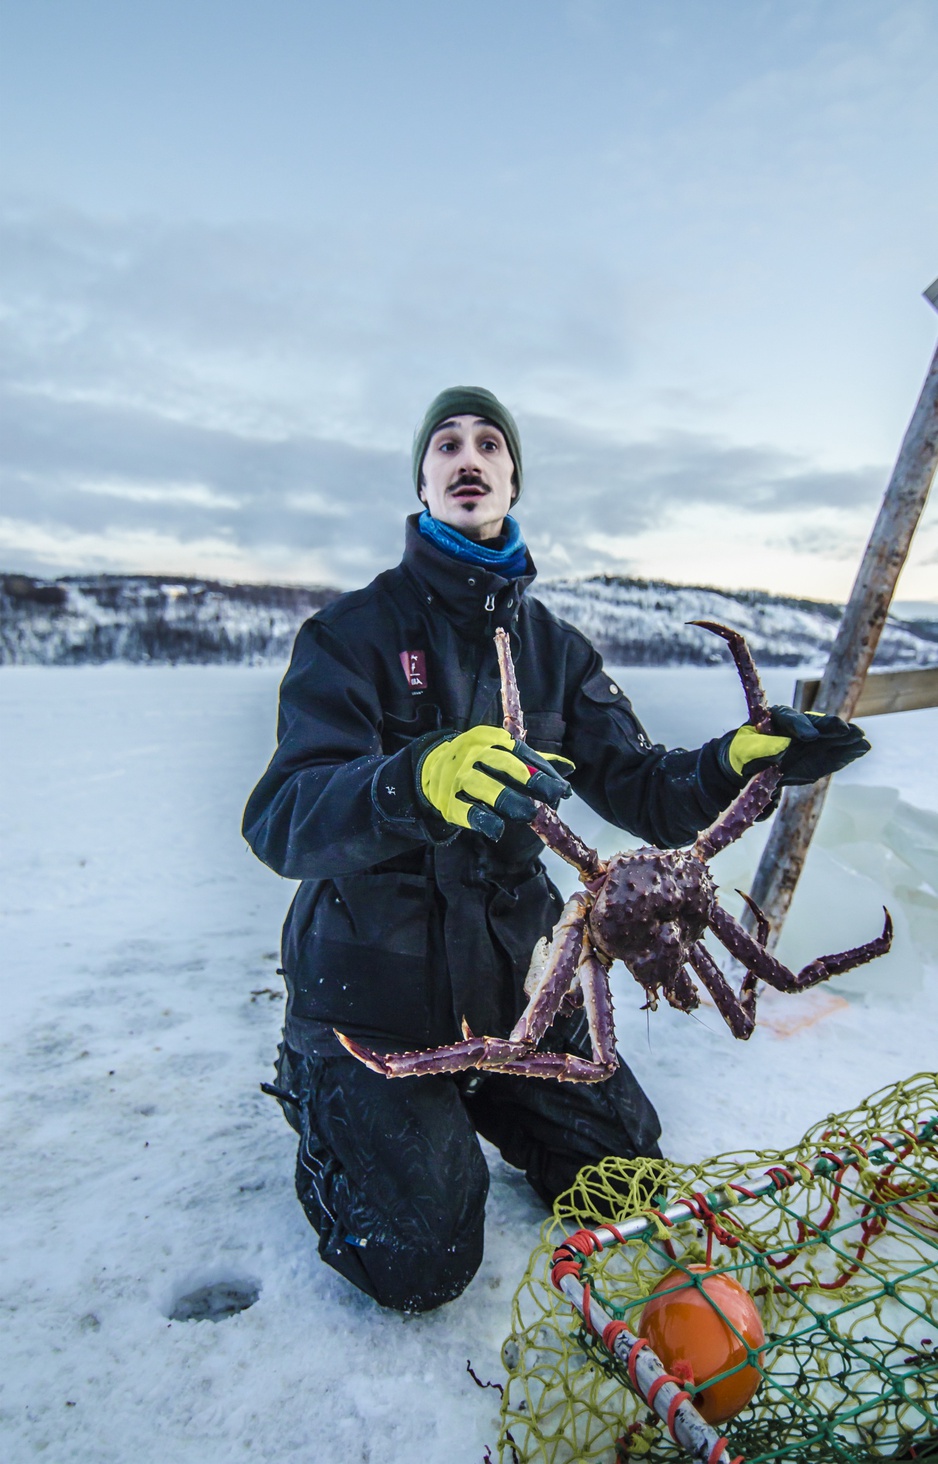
[(481, 778)]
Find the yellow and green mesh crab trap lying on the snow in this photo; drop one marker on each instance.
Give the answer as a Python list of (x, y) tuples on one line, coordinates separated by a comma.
[(836, 1244)]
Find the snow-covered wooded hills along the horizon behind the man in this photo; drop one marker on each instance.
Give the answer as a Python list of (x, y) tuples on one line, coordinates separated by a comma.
[(634, 623)]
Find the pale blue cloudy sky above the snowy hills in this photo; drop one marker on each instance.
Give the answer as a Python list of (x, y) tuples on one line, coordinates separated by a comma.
[(244, 245)]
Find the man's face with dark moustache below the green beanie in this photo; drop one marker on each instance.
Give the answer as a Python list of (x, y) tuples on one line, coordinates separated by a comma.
[(468, 477)]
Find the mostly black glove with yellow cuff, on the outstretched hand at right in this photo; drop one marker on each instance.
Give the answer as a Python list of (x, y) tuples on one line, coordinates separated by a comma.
[(819, 746)]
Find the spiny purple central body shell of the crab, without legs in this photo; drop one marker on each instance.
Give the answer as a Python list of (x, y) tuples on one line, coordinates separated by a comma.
[(650, 910)]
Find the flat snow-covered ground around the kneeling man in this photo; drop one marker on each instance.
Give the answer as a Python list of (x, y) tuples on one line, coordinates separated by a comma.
[(143, 1008)]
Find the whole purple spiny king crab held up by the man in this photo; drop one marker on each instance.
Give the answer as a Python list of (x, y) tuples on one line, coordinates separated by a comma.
[(649, 910)]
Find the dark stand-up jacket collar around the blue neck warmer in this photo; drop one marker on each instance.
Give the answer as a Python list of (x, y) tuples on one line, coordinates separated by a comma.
[(468, 594)]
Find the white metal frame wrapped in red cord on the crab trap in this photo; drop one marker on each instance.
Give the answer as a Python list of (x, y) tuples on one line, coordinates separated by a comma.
[(664, 1393)]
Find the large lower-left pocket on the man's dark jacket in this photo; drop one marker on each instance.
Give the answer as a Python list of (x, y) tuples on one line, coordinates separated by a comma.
[(364, 961)]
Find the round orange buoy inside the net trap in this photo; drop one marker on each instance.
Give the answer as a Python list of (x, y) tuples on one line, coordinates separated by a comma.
[(683, 1323)]
